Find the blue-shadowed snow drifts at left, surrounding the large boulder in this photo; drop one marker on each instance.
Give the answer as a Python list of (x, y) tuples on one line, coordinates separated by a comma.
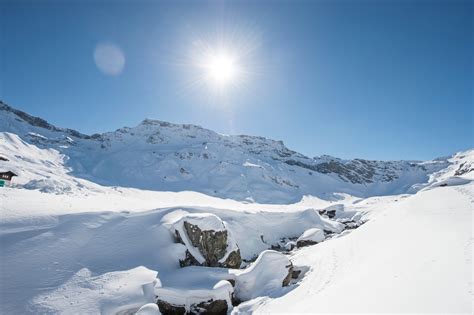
[(82, 259)]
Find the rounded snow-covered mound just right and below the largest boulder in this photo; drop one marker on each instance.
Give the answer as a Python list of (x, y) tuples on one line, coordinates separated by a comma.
[(266, 276)]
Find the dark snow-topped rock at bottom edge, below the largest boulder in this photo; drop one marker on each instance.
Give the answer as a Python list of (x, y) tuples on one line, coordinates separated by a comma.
[(217, 300)]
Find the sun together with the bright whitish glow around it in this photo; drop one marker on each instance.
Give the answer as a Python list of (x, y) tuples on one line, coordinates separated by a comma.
[(221, 65)]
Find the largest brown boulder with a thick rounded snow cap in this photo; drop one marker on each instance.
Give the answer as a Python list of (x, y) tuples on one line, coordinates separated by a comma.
[(207, 240)]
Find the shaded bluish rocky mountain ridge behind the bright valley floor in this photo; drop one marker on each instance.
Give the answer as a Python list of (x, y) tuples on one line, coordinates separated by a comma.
[(158, 155)]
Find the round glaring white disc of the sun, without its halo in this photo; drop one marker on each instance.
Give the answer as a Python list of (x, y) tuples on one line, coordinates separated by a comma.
[(221, 69)]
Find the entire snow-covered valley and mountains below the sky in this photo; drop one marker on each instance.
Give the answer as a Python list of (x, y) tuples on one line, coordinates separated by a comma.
[(179, 219)]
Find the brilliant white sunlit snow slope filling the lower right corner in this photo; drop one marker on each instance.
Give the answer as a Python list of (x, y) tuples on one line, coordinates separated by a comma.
[(414, 255)]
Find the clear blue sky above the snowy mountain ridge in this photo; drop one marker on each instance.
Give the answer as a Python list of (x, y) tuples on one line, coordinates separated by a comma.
[(371, 79)]
